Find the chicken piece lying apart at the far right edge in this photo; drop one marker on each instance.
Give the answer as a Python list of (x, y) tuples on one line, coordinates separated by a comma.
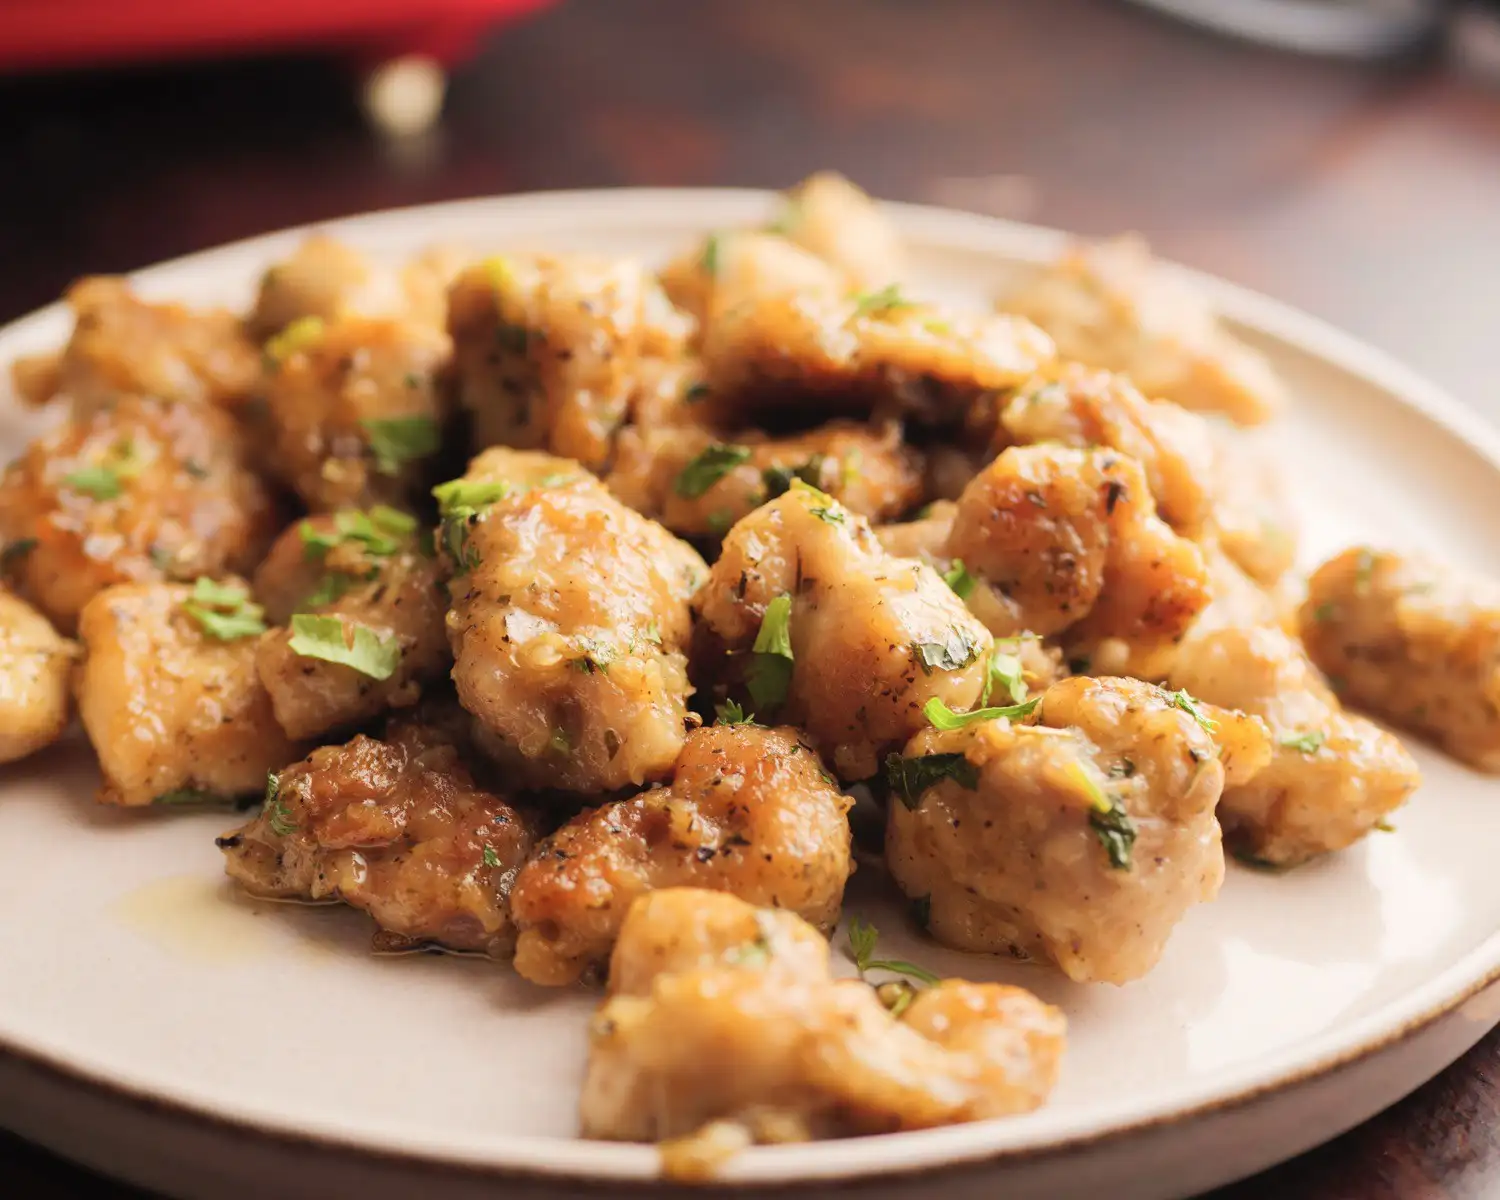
[(1412, 641)]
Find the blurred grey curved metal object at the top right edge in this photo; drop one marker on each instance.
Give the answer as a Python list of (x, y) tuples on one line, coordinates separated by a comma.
[(1354, 29)]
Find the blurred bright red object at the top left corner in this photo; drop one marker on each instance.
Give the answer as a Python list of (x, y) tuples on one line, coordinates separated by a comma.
[(64, 34)]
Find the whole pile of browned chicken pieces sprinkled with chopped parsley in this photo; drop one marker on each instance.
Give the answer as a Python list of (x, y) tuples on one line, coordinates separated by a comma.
[(730, 539)]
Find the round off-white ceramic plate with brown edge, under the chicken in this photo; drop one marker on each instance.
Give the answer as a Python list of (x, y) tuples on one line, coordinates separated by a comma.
[(157, 1025)]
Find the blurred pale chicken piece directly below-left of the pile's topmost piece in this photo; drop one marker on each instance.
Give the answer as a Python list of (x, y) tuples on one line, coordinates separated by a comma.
[(733, 268)]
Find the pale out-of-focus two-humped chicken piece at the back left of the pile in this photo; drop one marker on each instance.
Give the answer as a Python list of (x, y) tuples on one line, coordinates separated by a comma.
[(328, 280)]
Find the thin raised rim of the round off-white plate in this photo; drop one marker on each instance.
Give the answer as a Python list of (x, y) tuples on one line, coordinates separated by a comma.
[(917, 1153)]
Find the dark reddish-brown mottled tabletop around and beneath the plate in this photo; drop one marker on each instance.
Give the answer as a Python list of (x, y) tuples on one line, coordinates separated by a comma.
[(1369, 196)]
